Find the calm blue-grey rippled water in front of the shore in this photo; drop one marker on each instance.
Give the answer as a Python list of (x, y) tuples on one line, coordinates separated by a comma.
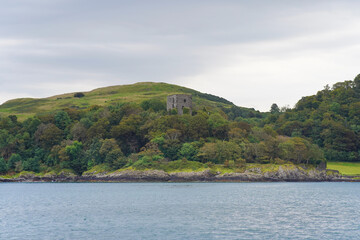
[(179, 211)]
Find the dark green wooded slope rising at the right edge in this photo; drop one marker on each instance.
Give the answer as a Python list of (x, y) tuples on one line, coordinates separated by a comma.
[(330, 119)]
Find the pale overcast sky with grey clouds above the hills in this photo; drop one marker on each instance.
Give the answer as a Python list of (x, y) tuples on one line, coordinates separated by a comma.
[(251, 52)]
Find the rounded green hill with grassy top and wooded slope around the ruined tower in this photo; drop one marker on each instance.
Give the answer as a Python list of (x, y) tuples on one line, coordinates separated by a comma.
[(127, 127)]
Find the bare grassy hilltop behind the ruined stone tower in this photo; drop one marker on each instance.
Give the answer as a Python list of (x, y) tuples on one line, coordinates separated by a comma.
[(26, 107)]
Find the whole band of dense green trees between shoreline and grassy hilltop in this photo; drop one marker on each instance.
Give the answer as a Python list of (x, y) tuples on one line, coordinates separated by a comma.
[(144, 135)]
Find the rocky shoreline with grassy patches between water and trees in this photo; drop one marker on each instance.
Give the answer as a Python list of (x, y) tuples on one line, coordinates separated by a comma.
[(296, 174)]
